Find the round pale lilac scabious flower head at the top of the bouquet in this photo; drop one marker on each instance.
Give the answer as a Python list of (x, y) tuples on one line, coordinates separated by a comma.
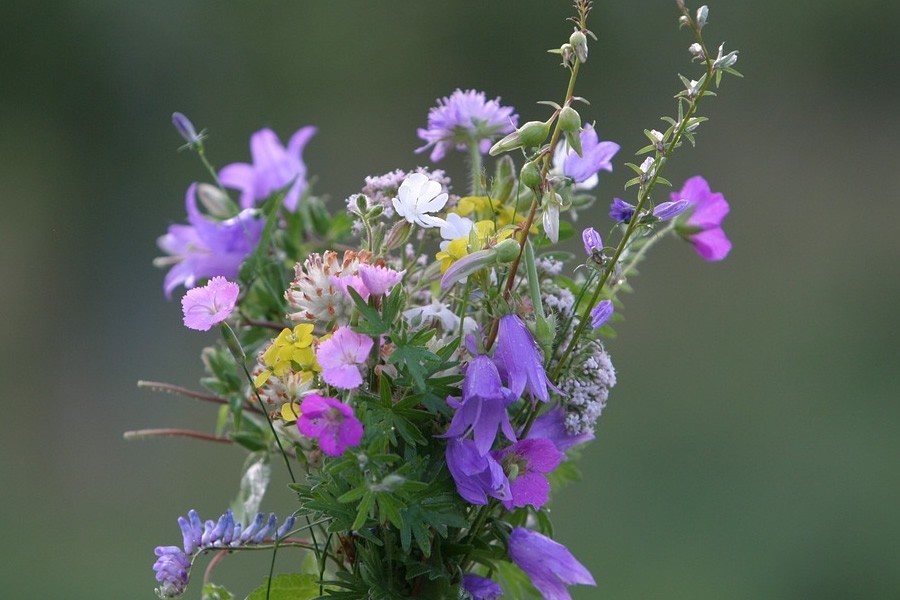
[(464, 118)]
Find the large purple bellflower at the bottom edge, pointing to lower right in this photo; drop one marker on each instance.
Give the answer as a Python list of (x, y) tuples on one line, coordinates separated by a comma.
[(549, 565)]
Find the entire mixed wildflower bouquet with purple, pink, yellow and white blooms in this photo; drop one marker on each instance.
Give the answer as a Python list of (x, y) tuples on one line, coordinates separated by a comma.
[(424, 363)]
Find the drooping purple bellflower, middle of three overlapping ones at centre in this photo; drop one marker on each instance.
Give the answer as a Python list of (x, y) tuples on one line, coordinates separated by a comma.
[(483, 406)]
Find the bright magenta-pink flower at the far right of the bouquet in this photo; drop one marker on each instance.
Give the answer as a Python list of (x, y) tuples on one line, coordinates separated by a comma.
[(703, 227)]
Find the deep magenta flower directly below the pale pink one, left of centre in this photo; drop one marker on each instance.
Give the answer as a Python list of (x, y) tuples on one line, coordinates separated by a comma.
[(331, 422)]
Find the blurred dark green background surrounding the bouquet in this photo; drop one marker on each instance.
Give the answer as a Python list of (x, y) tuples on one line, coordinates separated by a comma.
[(751, 447)]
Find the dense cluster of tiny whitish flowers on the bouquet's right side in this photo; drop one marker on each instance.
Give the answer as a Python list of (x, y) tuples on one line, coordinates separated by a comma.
[(586, 387)]
